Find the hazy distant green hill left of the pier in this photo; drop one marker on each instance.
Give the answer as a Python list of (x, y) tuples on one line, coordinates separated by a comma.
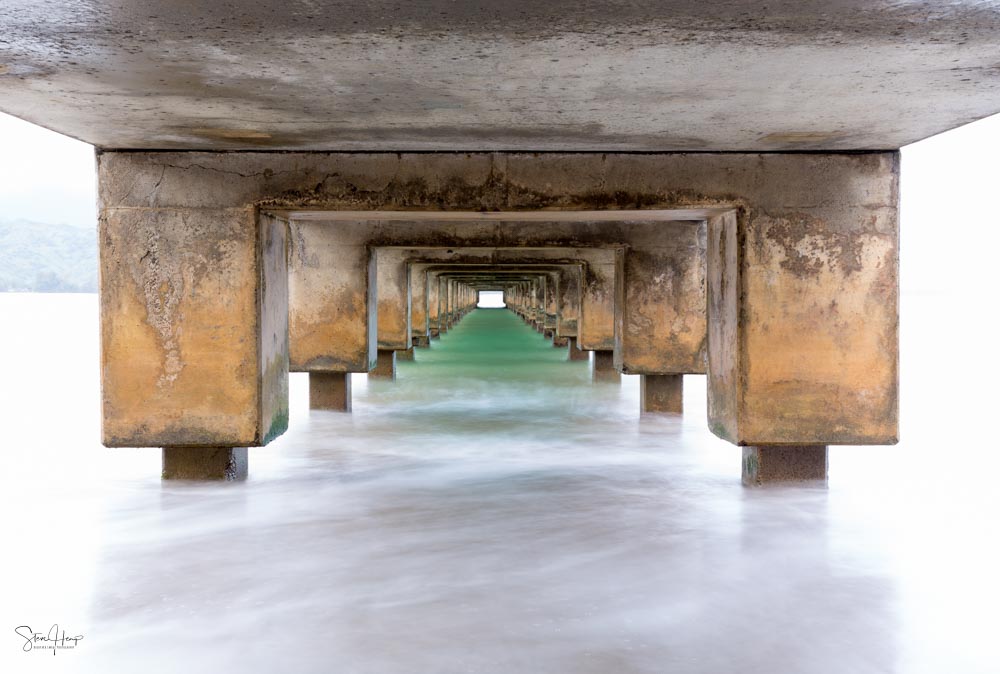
[(38, 257)]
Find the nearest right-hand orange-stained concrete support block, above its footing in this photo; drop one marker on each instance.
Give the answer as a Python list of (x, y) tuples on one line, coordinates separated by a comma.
[(804, 312)]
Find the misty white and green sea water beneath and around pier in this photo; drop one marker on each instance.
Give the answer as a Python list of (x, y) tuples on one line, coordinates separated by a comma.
[(493, 511)]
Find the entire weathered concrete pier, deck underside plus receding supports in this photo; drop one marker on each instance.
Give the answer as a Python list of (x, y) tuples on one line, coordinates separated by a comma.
[(680, 188)]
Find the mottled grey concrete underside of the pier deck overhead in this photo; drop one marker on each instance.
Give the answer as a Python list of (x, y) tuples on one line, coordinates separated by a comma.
[(583, 75)]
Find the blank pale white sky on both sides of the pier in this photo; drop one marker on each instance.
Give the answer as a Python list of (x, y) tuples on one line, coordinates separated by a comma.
[(949, 233)]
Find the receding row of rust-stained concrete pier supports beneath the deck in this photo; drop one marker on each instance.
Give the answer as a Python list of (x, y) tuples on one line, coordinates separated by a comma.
[(775, 274)]
